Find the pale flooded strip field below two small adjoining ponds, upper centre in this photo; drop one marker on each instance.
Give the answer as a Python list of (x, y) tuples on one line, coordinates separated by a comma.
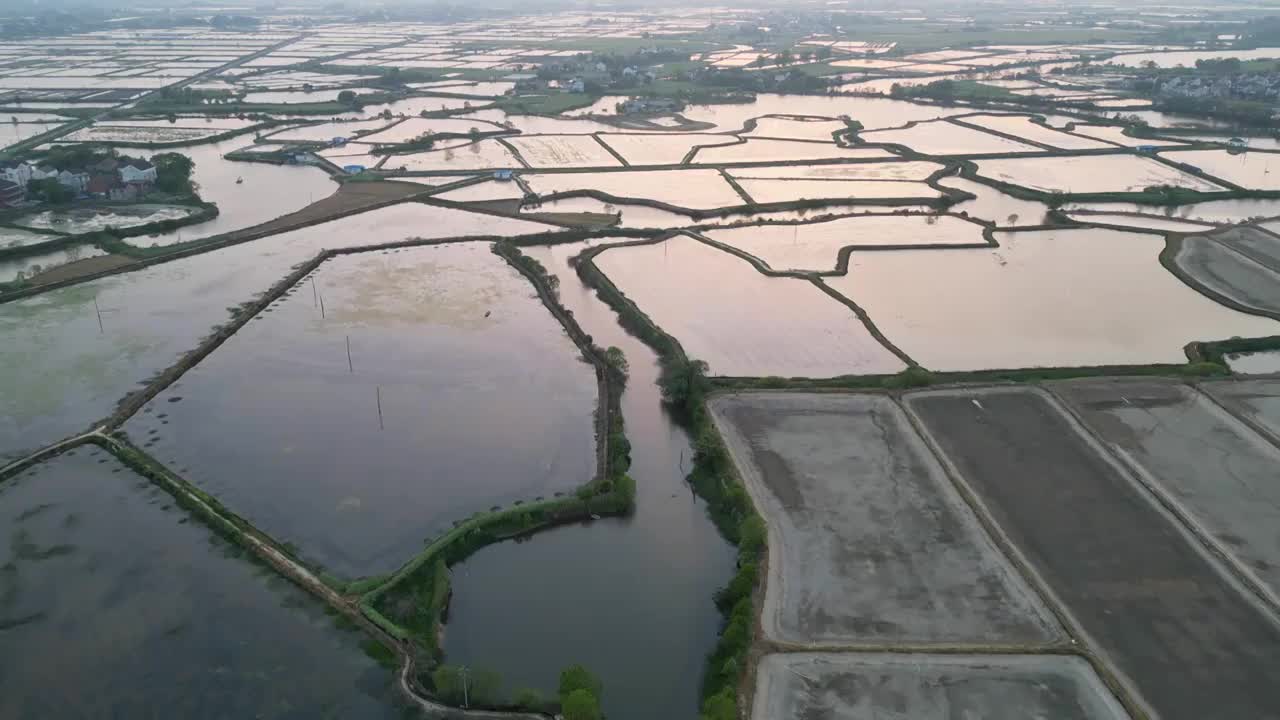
[(696, 189)]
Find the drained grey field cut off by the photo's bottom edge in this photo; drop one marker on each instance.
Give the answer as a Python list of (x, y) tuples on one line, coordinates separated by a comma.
[(994, 687)]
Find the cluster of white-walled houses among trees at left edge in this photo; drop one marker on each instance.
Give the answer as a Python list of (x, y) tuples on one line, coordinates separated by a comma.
[(112, 179)]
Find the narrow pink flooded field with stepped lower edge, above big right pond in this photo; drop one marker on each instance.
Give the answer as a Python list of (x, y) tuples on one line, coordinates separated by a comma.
[(816, 247)]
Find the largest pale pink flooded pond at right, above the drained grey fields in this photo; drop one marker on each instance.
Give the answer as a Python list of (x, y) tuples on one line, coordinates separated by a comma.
[(1026, 303)]
